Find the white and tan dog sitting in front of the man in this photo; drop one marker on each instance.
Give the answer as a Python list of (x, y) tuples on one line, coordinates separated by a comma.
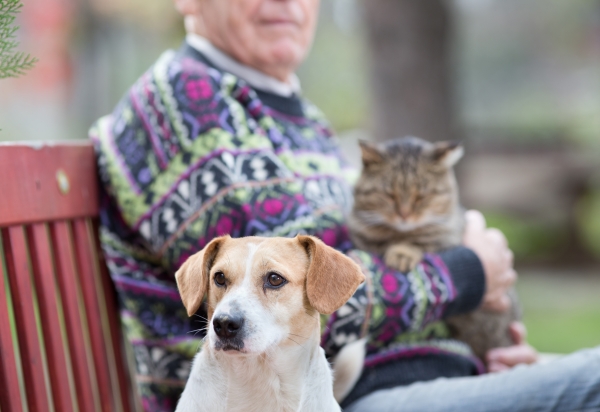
[(264, 296)]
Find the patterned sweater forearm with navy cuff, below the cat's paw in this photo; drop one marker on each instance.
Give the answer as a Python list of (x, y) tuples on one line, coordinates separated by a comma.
[(392, 306)]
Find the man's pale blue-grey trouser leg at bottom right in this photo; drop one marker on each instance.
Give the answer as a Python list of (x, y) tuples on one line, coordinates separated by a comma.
[(567, 384)]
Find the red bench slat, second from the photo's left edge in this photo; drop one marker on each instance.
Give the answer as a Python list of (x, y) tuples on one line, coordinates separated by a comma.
[(17, 262)]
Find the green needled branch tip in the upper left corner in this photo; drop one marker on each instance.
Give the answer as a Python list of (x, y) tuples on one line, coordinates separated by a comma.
[(12, 63)]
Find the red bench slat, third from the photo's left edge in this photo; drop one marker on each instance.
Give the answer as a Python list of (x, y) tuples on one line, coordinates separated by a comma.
[(43, 273)]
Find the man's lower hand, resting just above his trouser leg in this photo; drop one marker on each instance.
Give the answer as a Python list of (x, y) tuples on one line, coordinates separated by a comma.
[(502, 359)]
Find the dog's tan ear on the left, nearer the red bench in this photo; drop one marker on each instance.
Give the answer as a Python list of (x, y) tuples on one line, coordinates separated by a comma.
[(192, 276)]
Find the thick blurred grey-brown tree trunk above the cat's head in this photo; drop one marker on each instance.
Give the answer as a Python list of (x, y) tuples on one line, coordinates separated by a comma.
[(409, 46)]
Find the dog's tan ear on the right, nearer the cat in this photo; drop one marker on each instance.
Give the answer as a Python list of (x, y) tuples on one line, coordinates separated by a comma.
[(332, 278)]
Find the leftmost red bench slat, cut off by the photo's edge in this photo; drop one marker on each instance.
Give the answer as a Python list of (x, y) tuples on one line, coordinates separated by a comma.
[(9, 381)]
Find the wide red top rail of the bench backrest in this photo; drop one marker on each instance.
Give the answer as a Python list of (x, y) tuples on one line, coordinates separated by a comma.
[(32, 185)]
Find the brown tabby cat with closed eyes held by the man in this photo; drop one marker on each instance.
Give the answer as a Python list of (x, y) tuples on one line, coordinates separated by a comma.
[(406, 204)]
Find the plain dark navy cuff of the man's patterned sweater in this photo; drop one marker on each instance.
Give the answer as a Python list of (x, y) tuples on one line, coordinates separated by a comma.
[(468, 277)]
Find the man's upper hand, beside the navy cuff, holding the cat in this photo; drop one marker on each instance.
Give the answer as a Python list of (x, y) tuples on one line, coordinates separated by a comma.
[(491, 247)]
